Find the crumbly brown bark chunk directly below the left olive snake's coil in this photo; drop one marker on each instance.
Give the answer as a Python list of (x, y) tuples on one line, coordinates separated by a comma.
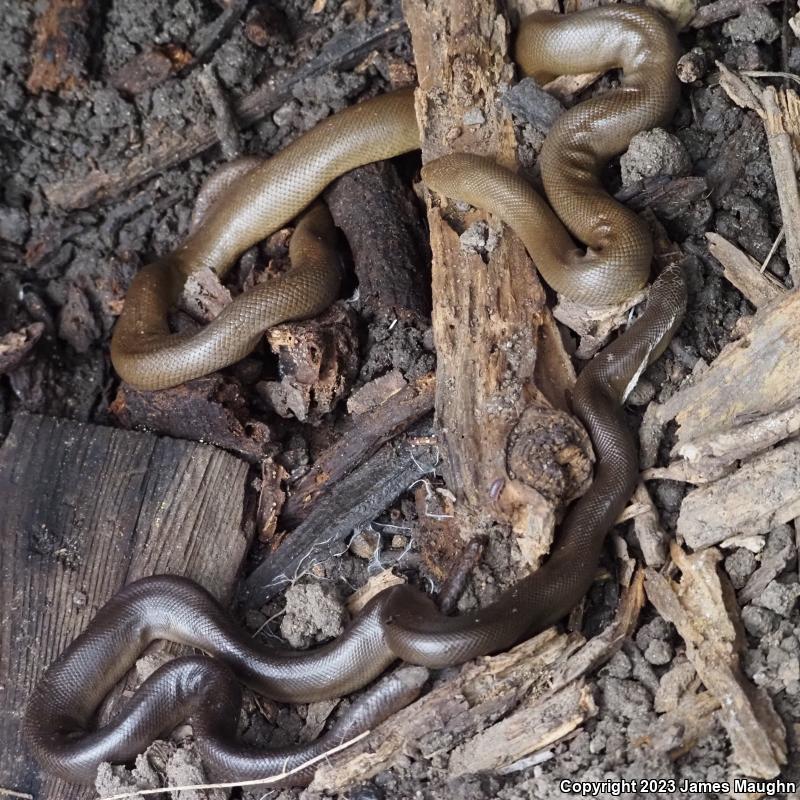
[(317, 362)]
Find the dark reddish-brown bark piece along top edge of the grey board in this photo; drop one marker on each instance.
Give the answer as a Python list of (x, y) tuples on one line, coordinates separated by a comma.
[(207, 409)]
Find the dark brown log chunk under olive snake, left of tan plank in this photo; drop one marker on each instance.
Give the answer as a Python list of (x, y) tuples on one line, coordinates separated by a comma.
[(388, 241)]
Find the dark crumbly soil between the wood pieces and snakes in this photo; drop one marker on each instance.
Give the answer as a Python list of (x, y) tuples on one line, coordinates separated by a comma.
[(69, 271)]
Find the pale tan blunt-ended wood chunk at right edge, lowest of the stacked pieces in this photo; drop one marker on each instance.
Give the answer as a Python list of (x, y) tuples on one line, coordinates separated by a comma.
[(761, 494)]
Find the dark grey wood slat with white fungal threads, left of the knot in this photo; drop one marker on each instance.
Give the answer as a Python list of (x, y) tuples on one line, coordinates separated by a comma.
[(358, 499)]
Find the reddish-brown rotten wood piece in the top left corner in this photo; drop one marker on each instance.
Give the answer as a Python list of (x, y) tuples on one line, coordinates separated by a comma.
[(61, 46)]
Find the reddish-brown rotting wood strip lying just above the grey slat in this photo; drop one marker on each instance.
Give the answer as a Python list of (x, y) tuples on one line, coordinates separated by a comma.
[(362, 436)]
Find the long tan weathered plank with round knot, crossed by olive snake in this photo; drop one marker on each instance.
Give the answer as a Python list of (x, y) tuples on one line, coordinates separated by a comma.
[(488, 304)]
